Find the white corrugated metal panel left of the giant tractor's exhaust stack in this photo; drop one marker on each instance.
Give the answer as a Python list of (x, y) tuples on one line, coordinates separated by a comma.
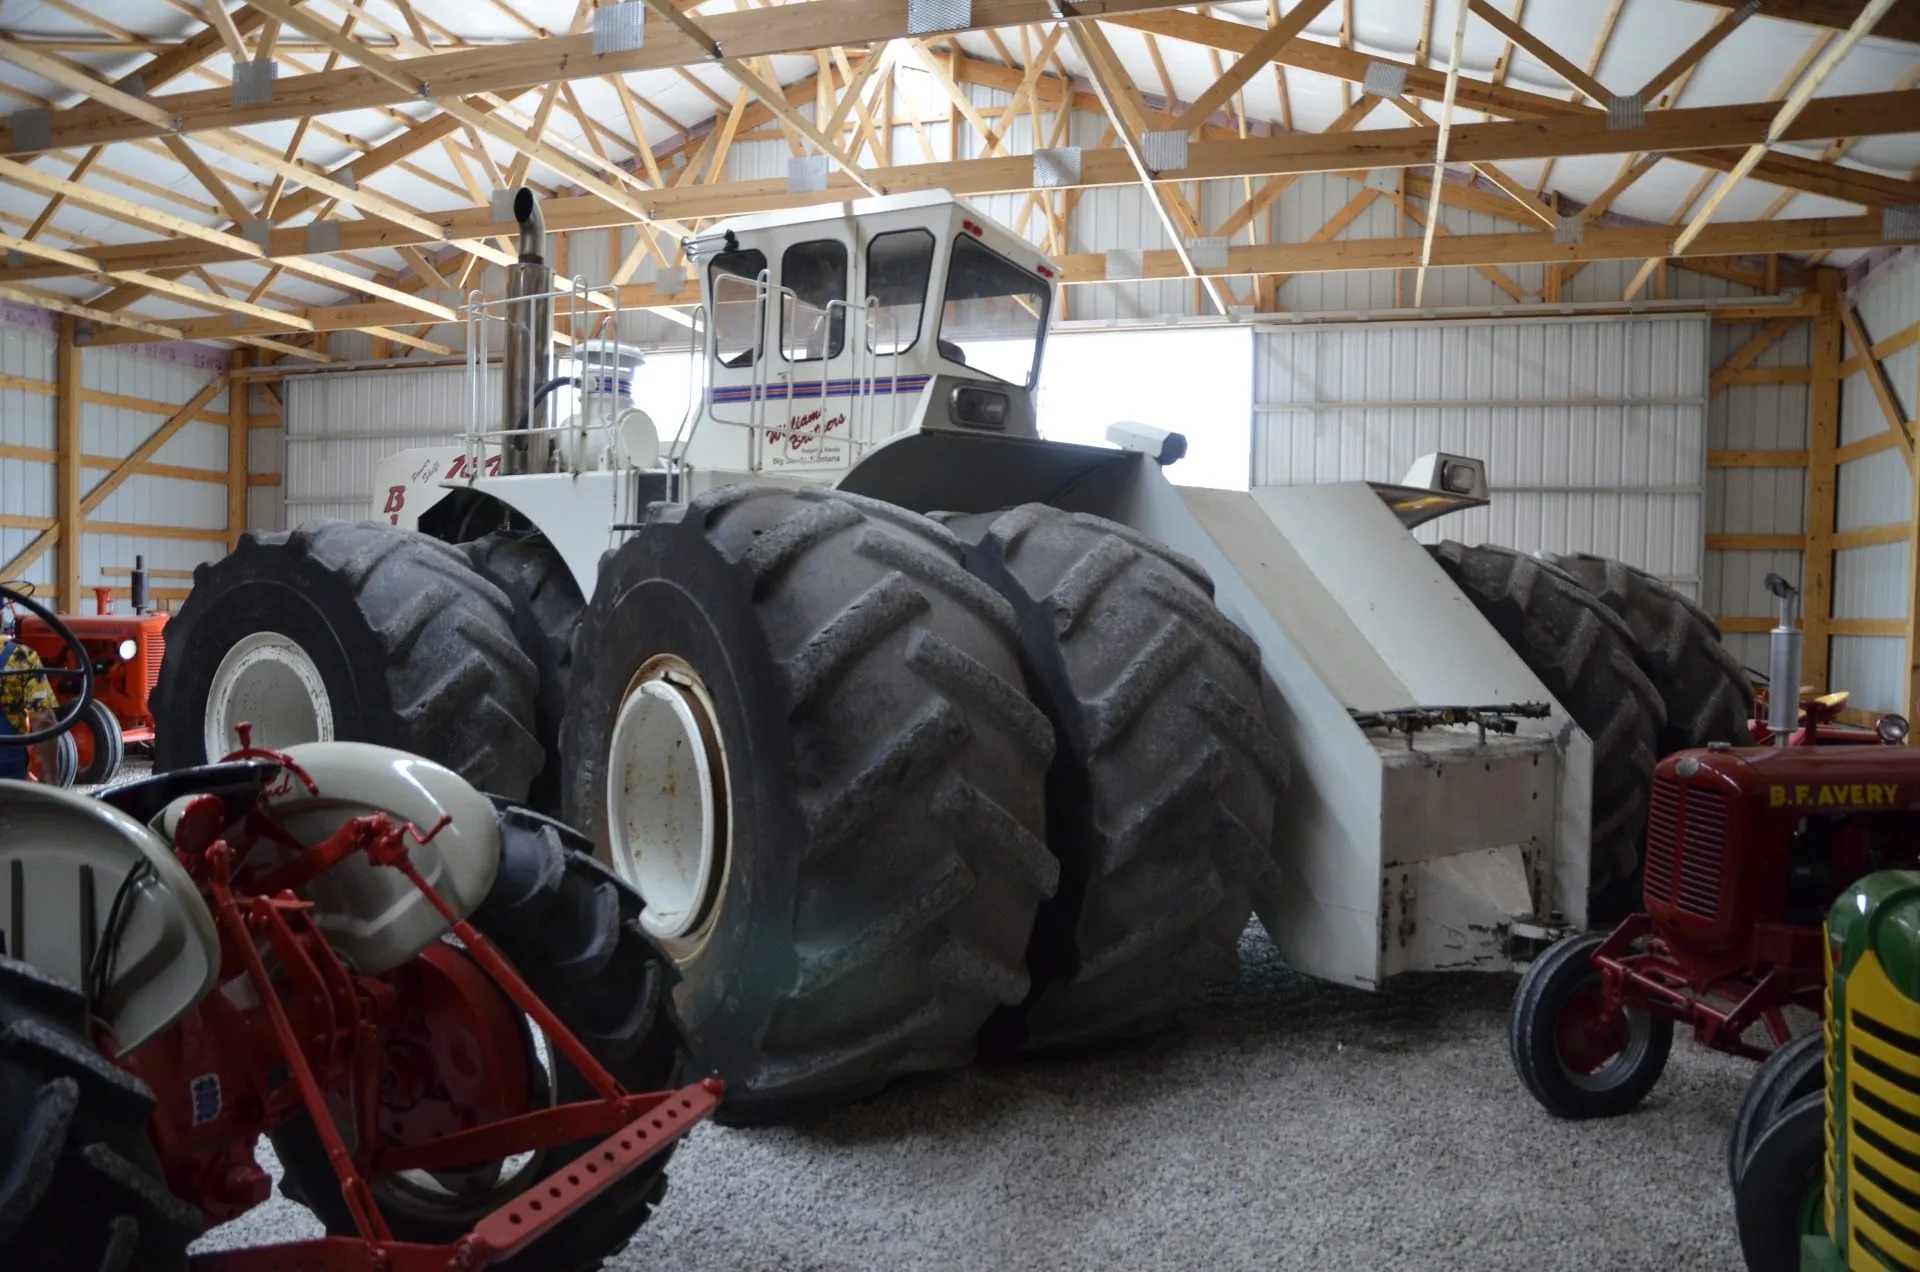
[(339, 428)]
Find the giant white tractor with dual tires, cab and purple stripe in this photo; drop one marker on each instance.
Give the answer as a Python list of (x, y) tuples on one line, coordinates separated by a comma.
[(919, 733)]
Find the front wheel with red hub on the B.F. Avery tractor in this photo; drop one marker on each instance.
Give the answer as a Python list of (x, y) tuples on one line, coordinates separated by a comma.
[(1575, 1052)]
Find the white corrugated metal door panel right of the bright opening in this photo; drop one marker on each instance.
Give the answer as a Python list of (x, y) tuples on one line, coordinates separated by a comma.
[(1593, 429)]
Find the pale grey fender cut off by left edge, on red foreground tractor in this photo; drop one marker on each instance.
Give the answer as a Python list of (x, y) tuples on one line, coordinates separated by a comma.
[(70, 856)]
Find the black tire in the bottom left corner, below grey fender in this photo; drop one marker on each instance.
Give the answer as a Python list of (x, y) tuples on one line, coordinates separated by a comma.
[(80, 1181)]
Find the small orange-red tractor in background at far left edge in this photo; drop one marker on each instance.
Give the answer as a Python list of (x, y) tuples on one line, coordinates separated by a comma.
[(126, 652)]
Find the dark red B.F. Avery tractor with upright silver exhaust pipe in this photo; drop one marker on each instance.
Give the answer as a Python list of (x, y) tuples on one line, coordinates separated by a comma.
[(1746, 850)]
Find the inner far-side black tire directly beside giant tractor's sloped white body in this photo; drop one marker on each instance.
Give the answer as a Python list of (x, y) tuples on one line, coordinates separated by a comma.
[(1585, 656)]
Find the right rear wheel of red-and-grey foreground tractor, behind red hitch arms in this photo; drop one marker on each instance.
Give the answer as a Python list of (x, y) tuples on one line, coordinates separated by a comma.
[(573, 935)]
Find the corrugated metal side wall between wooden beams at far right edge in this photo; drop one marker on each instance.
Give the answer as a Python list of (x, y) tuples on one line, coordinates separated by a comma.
[(1877, 581)]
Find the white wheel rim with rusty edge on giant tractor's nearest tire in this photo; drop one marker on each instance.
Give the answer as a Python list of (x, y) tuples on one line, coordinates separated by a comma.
[(667, 800)]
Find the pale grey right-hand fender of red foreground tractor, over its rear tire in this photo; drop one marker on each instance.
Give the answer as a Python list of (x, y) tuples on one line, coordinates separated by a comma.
[(373, 916)]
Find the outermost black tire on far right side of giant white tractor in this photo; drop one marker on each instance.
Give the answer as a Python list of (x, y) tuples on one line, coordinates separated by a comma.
[(1704, 687)]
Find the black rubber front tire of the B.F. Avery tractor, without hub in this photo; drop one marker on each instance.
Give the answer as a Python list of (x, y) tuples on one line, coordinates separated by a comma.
[(1558, 981)]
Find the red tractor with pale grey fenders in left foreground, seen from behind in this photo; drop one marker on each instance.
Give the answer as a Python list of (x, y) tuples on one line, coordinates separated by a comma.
[(443, 1014)]
